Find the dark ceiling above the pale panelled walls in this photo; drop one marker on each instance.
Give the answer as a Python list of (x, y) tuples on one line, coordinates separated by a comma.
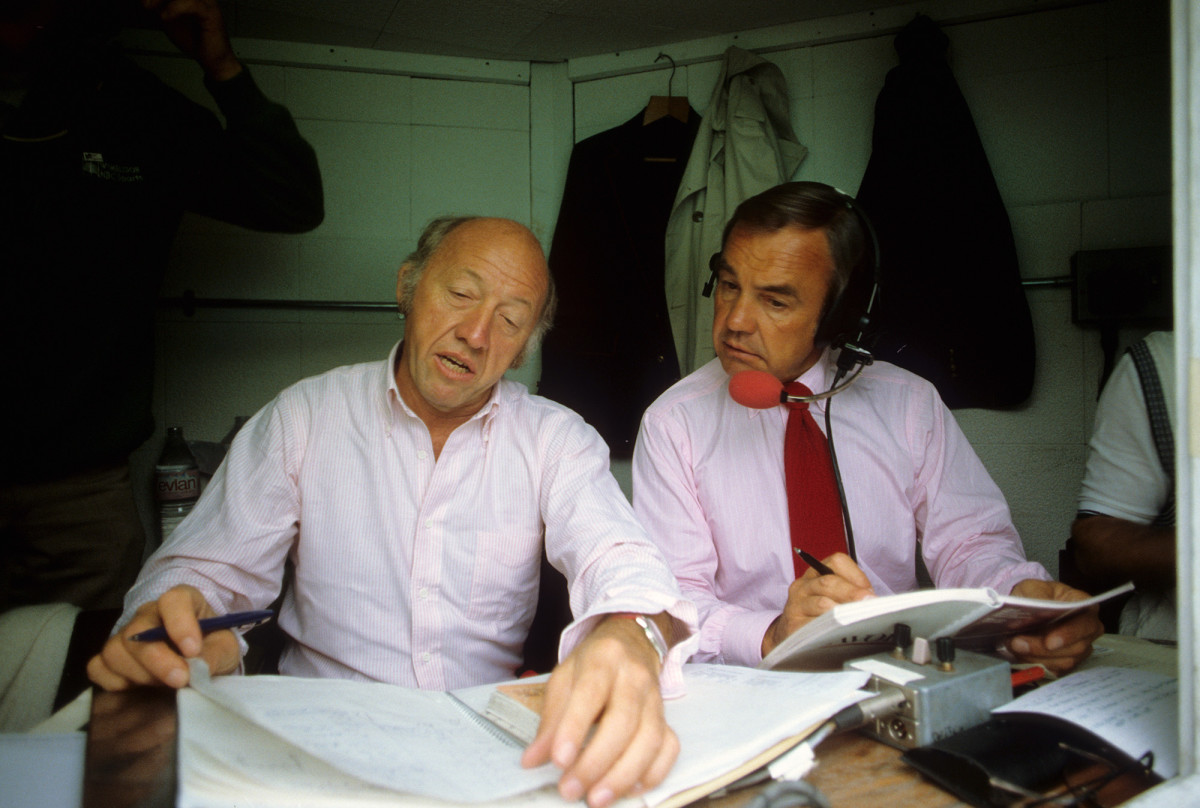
[(527, 31)]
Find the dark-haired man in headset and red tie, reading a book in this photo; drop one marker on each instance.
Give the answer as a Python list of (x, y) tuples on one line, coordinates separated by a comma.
[(710, 478)]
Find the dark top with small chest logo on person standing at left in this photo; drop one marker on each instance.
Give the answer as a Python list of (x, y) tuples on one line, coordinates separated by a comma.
[(97, 169)]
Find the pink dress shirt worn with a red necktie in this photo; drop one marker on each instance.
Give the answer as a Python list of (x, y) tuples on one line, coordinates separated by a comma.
[(709, 484)]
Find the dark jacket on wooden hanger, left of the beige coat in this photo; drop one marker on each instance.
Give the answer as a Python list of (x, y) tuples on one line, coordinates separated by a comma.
[(611, 354)]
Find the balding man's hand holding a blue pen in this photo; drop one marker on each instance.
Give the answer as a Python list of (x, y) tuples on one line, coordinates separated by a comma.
[(125, 662)]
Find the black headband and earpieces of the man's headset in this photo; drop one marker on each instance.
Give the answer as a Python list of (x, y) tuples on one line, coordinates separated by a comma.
[(847, 322)]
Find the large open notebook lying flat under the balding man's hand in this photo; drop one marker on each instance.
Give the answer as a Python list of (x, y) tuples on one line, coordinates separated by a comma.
[(275, 741)]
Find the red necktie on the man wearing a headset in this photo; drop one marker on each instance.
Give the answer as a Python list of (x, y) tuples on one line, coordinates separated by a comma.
[(814, 508)]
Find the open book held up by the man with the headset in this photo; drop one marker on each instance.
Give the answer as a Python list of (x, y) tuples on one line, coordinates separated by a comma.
[(977, 619)]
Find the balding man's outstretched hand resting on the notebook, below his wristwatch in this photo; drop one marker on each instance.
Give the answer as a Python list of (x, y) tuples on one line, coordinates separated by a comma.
[(610, 681)]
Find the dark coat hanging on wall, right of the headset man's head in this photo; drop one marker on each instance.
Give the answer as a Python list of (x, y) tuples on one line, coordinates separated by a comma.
[(952, 307)]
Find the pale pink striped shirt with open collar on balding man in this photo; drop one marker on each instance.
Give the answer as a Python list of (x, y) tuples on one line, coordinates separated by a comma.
[(409, 571)]
